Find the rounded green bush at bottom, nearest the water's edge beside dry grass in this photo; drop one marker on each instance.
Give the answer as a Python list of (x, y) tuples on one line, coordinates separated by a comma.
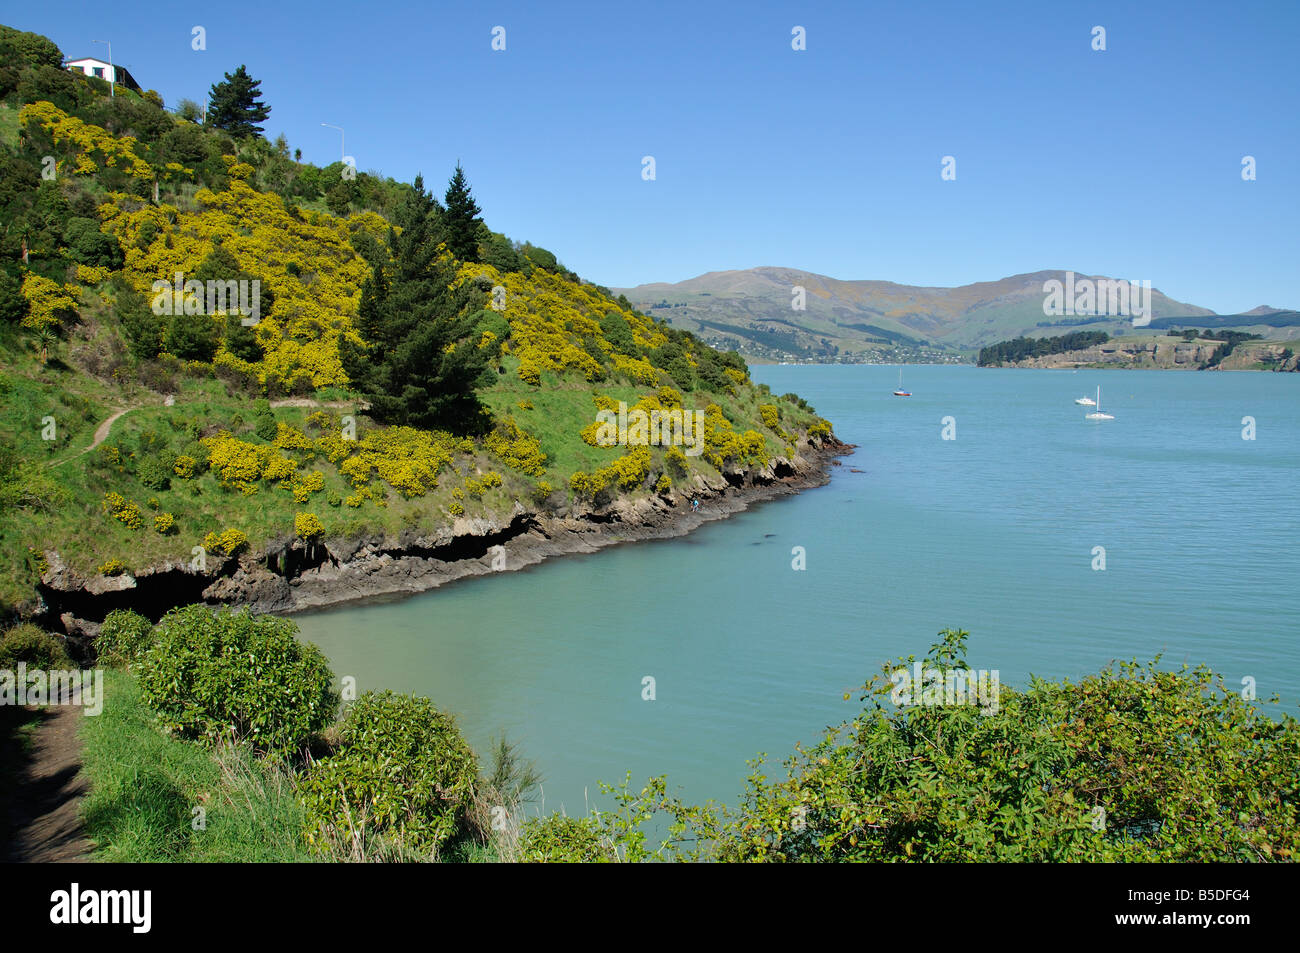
[(402, 773)]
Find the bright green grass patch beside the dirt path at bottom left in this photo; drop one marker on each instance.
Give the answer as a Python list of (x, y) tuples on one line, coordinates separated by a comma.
[(145, 787)]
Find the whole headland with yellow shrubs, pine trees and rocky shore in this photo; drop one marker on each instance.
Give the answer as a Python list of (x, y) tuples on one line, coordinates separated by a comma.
[(410, 397)]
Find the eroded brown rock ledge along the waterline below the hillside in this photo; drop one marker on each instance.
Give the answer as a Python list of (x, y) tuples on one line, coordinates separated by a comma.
[(291, 575)]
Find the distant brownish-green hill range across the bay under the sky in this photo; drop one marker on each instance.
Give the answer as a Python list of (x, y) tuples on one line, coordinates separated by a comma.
[(752, 311)]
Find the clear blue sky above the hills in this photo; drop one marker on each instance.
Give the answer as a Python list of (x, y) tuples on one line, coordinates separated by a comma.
[(1124, 163)]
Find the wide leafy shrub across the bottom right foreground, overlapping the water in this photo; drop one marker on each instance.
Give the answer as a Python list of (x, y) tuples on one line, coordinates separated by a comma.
[(1136, 764)]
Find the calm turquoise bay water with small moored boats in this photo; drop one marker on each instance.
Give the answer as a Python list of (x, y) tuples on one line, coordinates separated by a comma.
[(993, 532)]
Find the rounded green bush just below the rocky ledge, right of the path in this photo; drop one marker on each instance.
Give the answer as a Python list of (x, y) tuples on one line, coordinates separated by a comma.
[(229, 675)]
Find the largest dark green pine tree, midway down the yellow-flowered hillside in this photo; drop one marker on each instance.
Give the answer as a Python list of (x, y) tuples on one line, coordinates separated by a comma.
[(422, 362)]
